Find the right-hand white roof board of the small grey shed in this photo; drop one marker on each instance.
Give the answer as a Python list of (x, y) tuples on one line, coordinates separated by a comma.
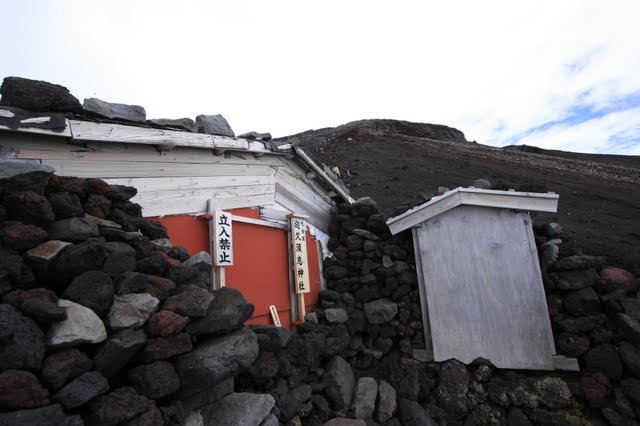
[(510, 200)]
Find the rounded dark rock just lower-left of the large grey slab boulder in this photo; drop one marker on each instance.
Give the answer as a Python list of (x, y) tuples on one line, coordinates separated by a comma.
[(155, 380)]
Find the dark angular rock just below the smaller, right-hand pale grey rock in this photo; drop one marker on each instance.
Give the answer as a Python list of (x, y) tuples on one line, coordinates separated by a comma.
[(116, 352)]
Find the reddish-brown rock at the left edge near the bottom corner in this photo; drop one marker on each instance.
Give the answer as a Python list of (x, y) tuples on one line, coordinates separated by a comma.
[(21, 389)]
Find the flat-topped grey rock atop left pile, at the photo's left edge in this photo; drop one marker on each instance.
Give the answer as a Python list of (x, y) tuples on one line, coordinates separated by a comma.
[(20, 176)]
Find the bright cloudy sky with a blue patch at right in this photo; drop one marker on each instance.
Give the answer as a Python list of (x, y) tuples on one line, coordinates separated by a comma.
[(558, 74)]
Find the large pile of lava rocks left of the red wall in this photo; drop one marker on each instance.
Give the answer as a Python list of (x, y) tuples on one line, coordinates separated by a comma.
[(102, 320)]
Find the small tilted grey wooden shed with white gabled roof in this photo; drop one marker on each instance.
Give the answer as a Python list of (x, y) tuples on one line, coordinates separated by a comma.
[(480, 282)]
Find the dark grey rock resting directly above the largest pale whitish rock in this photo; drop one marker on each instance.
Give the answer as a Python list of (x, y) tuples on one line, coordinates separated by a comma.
[(93, 289)]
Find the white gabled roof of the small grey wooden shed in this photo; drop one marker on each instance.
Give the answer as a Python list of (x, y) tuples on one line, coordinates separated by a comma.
[(531, 201)]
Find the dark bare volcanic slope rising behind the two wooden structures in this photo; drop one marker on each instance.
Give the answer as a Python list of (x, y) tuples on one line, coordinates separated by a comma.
[(400, 164)]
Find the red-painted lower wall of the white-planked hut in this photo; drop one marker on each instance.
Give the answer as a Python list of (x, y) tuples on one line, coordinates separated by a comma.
[(261, 264)]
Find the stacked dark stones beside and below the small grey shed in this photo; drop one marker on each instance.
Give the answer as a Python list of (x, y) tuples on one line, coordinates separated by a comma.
[(336, 371)]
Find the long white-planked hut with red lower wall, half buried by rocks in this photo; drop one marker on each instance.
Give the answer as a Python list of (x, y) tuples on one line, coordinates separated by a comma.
[(182, 176)]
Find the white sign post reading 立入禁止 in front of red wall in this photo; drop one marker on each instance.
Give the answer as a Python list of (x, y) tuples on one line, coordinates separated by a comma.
[(221, 240)]
